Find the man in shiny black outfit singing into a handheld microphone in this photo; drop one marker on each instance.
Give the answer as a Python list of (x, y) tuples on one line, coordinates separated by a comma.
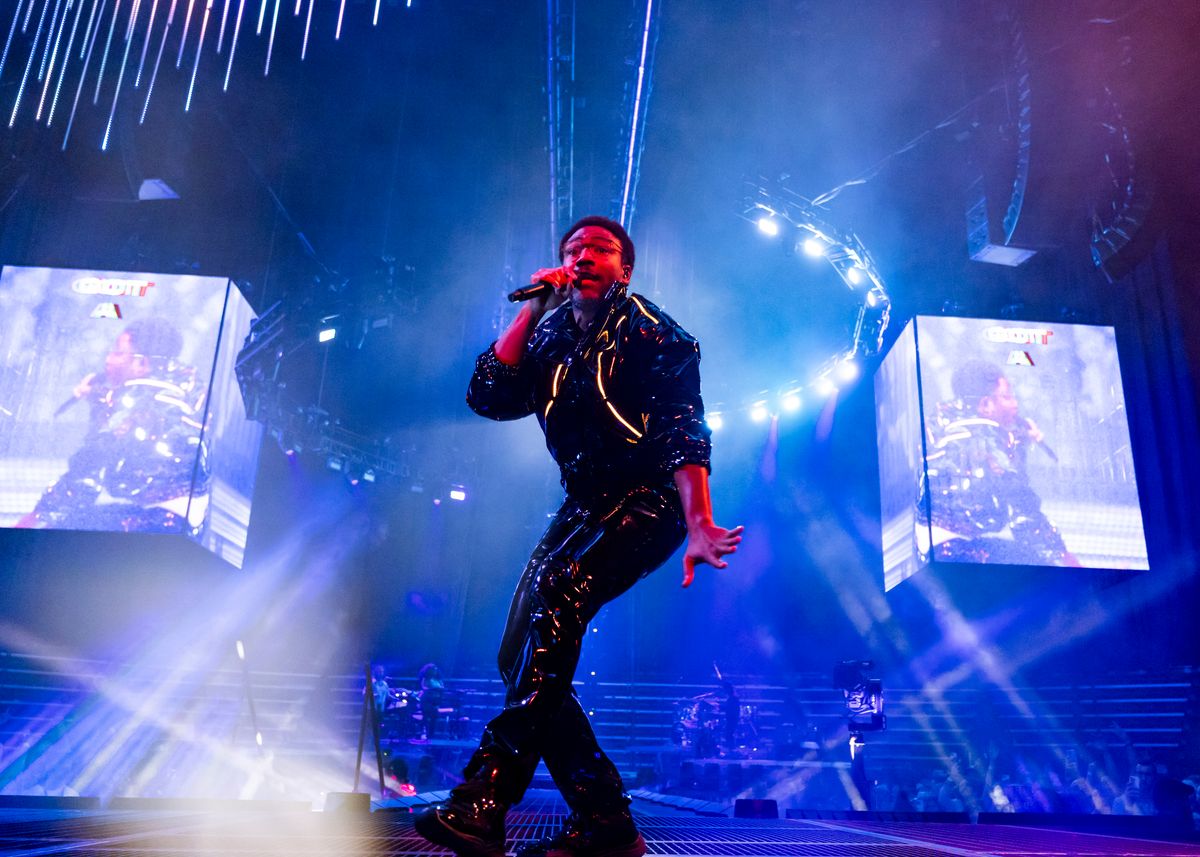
[(615, 385)]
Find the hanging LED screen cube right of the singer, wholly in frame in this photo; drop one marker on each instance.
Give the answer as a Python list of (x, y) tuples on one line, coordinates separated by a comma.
[(1006, 444)]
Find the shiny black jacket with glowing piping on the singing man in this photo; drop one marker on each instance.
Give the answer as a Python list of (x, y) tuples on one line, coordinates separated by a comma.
[(620, 404)]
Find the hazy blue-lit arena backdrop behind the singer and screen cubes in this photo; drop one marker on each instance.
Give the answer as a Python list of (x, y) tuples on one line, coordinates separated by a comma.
[(419, 147)]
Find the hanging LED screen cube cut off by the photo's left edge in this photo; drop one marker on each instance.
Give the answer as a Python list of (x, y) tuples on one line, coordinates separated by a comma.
[(119, 409)]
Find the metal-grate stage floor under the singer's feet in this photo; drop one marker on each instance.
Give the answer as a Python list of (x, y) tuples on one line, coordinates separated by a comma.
[(255, 832)]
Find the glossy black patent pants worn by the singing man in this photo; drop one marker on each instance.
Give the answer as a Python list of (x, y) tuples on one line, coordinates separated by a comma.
[(585, 560)]
